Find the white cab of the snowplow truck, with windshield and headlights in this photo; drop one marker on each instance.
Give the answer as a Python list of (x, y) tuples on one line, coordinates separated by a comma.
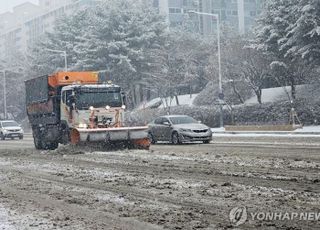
[(91, 106)]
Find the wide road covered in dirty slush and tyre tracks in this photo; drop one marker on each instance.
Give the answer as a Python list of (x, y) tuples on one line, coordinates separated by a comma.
[(192, 186)]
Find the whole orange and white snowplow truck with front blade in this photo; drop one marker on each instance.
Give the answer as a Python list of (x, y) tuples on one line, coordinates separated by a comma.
[(79, 107)]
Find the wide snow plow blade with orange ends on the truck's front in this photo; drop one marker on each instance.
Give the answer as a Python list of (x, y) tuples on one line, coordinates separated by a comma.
[(136, 136)]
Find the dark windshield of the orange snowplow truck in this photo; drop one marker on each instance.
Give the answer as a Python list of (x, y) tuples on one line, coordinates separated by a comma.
[(98, 99)]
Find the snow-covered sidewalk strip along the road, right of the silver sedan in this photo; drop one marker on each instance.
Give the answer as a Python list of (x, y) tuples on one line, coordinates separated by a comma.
[(308, 131)]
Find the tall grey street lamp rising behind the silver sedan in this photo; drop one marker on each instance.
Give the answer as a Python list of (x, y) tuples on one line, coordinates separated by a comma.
[(221, 96)]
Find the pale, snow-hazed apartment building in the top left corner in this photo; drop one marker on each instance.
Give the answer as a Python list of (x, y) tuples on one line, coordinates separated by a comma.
[(27, 22)]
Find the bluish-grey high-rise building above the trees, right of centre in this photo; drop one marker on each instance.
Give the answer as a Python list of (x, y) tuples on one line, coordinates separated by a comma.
[(239, 15)]
